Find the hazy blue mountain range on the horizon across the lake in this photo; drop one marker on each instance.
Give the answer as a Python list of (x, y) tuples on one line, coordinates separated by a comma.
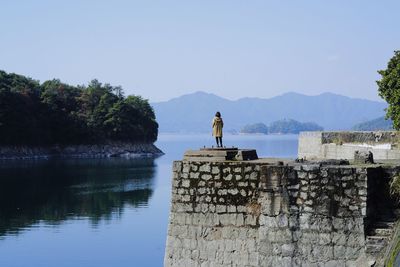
[(192, 113)]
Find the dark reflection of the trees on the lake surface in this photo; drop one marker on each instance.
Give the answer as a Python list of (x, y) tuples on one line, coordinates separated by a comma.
[(53, 191)]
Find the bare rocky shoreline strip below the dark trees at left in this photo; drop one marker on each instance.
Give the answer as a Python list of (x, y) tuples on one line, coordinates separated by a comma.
[(80, 151)]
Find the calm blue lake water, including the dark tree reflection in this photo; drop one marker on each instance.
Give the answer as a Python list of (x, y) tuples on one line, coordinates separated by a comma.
[(102, 212)]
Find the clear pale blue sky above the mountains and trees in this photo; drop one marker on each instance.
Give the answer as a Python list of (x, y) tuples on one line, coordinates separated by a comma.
[(163, 49)]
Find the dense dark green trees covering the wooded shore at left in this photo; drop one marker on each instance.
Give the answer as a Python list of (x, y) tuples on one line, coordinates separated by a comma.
[(53, 112)]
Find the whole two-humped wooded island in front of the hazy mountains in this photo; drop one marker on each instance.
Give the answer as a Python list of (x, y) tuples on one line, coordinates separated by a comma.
[(285, 126)]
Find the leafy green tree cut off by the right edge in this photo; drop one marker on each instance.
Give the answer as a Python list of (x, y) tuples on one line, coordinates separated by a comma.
[(389, 89)]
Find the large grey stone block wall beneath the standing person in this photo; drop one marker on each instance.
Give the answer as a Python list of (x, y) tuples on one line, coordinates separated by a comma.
[(258, 213)]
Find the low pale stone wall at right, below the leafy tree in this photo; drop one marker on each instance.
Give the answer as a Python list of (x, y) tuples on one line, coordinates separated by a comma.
[(342, 145)]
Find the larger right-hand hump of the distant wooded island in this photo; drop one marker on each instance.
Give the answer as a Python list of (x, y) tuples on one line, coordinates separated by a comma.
[(289, 126)]
